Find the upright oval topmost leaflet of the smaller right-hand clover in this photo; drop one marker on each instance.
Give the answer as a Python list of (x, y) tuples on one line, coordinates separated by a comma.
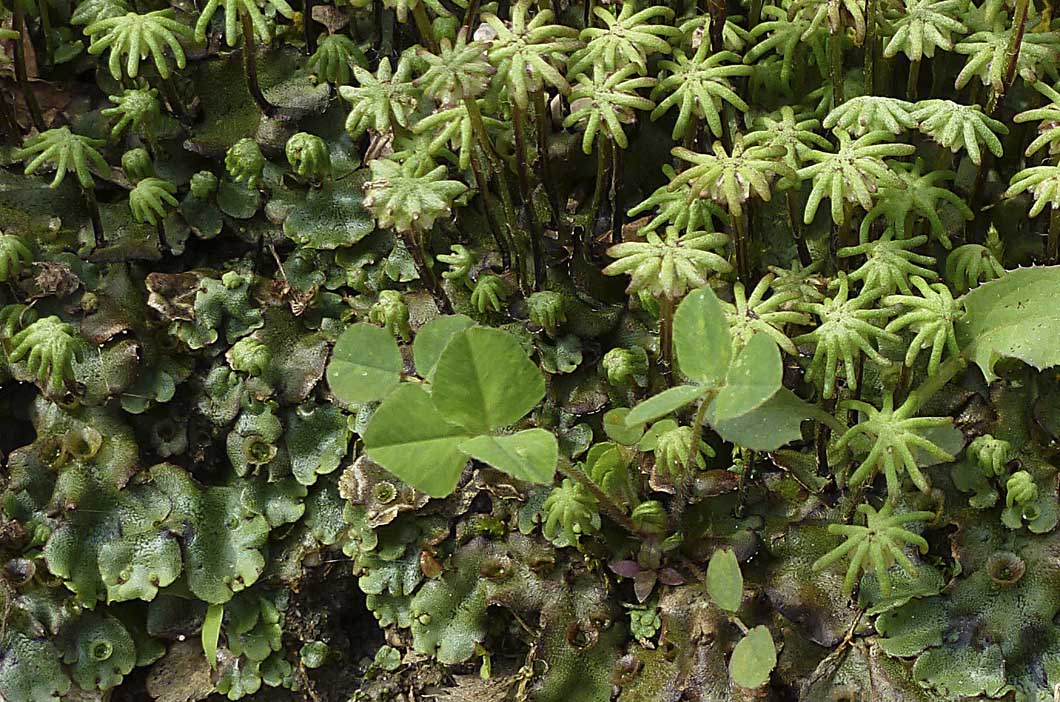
[(701, 338)]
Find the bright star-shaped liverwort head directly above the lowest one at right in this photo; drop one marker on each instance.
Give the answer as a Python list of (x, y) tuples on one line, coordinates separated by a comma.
[(895, 435)]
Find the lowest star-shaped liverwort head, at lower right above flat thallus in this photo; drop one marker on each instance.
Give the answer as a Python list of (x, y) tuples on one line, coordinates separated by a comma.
[(877, 546)]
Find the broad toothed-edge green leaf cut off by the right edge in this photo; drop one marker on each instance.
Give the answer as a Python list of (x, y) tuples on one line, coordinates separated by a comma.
[(1015, 317)]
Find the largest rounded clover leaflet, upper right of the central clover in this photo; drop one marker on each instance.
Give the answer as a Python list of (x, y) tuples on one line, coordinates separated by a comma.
[(486, 381)]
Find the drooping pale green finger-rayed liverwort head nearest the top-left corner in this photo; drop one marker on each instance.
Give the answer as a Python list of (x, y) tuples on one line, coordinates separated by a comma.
[(134, 38)]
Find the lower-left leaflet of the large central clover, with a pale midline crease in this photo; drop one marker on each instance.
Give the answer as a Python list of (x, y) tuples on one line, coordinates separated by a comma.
[(412, 440)]
